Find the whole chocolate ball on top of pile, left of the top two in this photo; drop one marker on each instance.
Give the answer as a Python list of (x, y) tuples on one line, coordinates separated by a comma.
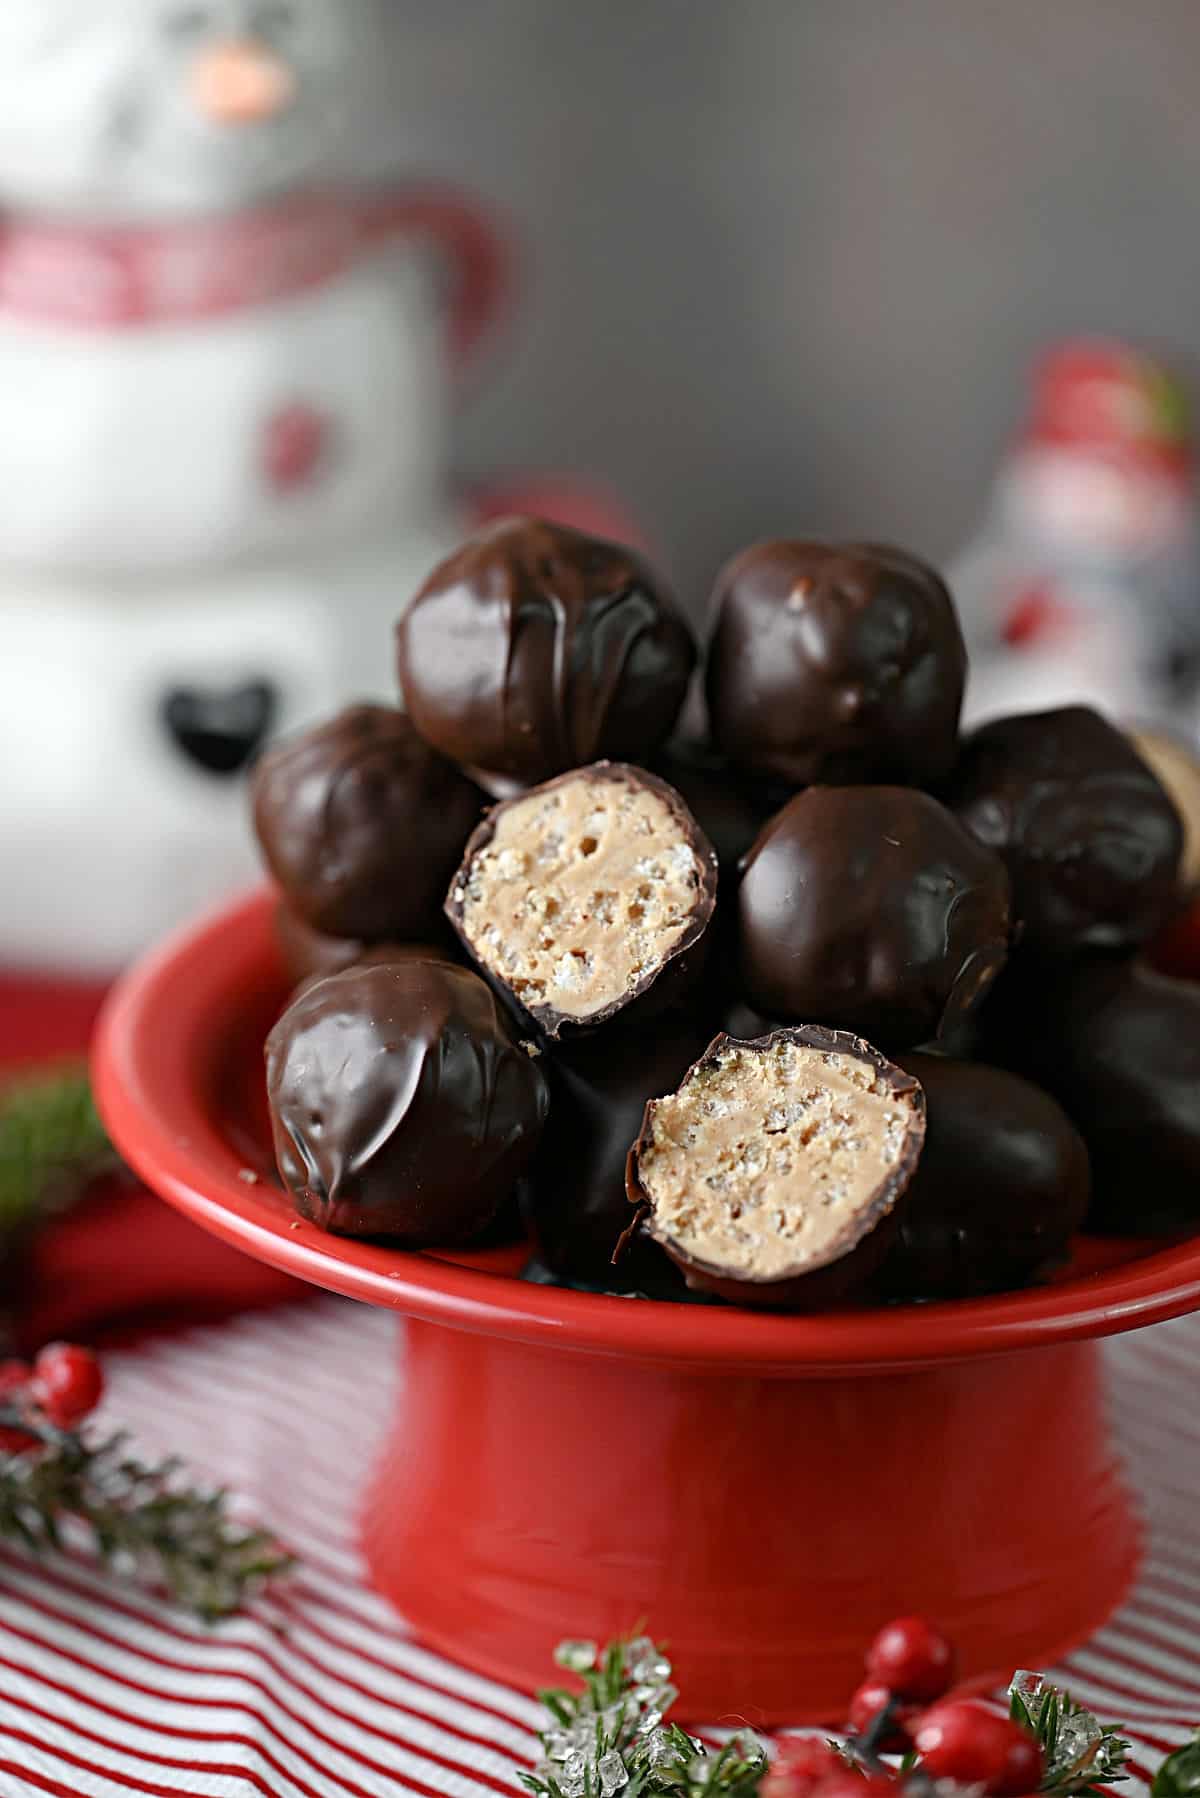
[(537, 650)]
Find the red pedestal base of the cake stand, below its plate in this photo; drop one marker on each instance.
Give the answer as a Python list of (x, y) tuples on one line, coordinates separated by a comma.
[(760, 1529)]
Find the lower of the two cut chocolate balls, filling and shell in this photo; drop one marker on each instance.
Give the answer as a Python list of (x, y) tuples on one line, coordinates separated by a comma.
[(775, 1173)]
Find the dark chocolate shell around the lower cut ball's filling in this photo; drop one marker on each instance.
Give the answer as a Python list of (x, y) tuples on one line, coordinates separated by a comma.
[(857, 1256)]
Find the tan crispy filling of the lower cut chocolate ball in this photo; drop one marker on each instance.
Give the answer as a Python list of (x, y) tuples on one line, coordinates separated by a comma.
[(766, 1159)]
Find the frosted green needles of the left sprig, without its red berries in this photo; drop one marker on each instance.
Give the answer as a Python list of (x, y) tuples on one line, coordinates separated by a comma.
[(143, 1520)]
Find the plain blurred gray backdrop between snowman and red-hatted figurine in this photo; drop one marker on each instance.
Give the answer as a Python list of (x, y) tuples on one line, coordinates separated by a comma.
[(785, 262)]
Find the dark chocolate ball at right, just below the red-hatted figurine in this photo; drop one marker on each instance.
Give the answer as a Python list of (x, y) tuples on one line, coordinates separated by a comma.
[(1091, 839)]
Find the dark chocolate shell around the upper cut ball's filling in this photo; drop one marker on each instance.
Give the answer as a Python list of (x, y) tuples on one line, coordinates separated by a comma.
[(665, 984)]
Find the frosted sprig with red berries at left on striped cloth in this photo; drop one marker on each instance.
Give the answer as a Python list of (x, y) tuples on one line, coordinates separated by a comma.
[(141, 1520)]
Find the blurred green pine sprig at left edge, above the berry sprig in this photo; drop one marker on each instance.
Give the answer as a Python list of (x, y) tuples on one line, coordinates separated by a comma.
[(51, 1146)]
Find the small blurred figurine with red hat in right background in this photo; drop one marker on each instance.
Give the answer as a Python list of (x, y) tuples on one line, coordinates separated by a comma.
[(1084, 587)]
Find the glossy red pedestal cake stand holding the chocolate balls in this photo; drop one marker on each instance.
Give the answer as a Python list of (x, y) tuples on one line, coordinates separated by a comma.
[(762, 1490)]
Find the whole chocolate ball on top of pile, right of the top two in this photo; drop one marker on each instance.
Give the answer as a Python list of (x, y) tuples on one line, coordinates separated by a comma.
[(836, 663)]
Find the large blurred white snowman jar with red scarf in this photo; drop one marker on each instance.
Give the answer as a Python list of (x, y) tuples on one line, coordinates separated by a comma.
[(226, 384)]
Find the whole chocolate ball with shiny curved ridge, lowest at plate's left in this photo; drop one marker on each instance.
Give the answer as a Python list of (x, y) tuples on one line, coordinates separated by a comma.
[(402, 1103)]
